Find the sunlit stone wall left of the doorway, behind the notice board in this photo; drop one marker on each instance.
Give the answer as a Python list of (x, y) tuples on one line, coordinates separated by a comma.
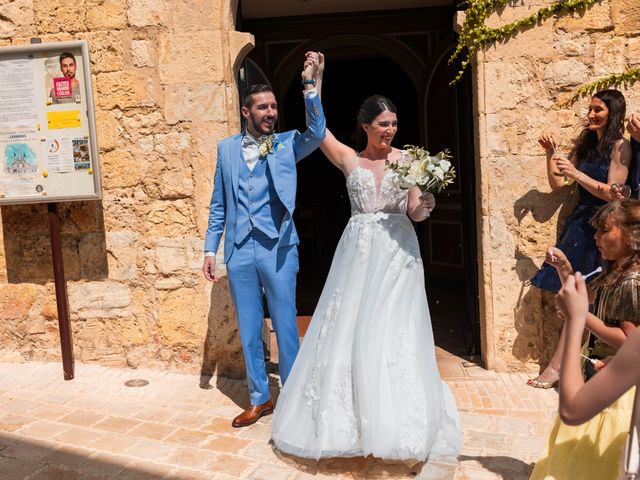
[(165, 93)]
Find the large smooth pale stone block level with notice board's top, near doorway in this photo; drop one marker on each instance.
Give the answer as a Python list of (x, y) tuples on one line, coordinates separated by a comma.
[(198, 53)]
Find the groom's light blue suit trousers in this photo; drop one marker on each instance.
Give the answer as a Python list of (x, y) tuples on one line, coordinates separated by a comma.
[(258, 264)]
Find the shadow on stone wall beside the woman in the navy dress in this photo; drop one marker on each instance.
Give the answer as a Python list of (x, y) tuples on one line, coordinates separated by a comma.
[(536, 322)]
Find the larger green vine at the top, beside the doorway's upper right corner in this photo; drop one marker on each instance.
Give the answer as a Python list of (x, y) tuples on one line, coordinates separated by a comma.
[(475, 34)]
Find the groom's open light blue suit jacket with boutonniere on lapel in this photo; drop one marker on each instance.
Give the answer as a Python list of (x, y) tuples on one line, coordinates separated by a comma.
[(289, 148)]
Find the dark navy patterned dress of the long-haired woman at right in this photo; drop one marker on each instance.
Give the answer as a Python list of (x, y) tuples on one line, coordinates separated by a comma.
[(576, 239)]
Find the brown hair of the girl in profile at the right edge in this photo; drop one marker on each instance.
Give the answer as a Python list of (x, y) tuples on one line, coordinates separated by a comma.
[(625, 214)]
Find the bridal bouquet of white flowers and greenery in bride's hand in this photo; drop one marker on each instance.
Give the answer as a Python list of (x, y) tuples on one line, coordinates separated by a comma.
[(430, 173)]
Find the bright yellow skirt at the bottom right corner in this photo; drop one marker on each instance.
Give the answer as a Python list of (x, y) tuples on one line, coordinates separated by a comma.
[(589, 451)]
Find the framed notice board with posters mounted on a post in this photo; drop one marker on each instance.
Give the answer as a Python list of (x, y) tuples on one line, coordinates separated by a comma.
[(48, 144)]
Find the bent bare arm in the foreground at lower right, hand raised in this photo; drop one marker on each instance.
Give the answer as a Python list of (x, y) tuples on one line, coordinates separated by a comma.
[(580, 401)]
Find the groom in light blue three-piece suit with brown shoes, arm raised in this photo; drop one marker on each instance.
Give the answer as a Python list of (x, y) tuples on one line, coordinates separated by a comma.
[(253, 200)]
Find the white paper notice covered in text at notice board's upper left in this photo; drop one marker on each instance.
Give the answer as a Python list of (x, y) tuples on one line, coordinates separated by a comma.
[(18, 102)]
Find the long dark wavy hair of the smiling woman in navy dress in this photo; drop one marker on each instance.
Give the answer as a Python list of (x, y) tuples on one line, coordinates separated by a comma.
[(586, 147)]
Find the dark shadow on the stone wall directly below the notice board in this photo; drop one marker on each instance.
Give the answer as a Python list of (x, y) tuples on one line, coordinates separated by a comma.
[(27, 242)]
